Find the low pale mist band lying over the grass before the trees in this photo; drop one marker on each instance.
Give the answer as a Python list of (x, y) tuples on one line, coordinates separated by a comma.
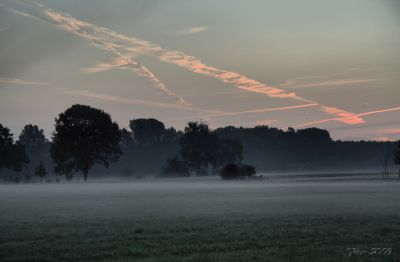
[(201, 196)]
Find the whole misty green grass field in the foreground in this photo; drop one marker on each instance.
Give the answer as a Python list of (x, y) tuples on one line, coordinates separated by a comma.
[(291, 219)]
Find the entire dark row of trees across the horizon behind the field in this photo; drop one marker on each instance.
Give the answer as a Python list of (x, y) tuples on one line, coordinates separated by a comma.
[(86, 140)]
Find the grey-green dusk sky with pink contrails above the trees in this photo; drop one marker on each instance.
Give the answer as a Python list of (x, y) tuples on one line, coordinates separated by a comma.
[(328, 64)]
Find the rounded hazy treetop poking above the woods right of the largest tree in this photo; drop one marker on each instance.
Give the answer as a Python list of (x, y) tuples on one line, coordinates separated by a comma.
[(147, 131)]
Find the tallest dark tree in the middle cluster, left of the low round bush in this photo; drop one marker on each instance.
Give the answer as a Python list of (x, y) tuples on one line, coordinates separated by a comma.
[(198, 146)]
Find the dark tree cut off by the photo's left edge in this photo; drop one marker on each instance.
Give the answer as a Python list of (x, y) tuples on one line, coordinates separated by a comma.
[(12, 155)]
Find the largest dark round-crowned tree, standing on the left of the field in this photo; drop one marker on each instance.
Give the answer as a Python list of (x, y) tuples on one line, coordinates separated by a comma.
[(83, 137)]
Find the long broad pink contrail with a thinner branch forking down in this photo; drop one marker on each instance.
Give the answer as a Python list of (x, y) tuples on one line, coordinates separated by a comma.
[(131, 47)]
